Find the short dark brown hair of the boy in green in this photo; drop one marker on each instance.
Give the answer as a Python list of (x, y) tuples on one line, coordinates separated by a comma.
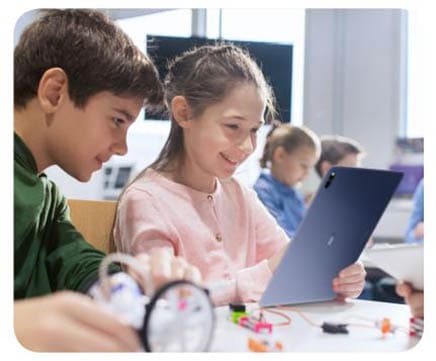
[(93, 51)]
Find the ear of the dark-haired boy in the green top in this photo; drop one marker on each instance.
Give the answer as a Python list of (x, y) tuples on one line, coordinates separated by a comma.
[(52, 89)]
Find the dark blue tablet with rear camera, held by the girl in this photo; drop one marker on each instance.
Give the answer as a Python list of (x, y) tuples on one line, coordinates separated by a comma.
[(341, 218)]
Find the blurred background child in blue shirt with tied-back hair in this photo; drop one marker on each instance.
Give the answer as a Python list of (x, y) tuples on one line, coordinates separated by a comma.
[(289, 154)]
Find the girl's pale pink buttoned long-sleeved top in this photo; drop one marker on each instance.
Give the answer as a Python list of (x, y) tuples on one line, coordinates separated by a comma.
[(228, 234)]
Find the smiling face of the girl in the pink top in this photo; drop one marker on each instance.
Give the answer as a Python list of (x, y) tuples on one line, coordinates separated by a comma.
[(224, 135)]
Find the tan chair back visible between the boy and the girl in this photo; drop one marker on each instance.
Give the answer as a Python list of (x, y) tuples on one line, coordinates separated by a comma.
[(94, 220)]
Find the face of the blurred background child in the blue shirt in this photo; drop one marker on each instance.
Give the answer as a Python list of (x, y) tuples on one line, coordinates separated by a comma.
[(292, 168)]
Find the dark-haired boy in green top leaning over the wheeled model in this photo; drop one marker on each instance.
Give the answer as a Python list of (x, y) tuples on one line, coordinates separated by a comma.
[(79, 83)]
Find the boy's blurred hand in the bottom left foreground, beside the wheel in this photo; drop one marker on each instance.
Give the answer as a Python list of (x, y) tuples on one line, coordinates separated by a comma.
[(68, 321)]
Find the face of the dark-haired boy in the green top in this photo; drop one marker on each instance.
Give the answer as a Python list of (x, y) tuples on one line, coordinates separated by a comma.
[(81, 140)]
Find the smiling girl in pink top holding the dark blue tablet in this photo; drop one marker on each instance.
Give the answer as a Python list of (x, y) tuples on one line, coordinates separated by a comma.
[(188, 201)]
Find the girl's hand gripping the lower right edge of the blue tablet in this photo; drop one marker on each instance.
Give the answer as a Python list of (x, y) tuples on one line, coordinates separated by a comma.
[(350, 281)]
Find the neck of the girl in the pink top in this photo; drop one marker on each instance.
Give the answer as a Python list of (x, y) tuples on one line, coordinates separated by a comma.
[(186, 173)]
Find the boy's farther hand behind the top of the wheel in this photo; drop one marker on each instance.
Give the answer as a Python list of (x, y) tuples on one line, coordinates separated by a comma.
[(165, 267)]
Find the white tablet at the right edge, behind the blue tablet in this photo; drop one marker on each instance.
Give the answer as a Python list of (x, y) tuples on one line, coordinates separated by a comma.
[(405, 262)]
